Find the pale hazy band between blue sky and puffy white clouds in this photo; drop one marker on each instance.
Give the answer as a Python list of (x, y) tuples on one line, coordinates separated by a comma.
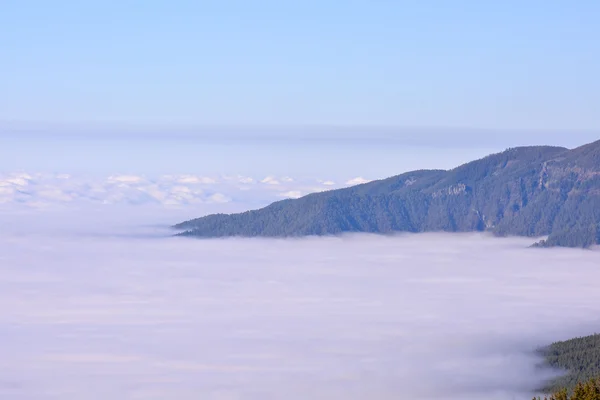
[(318, 153)]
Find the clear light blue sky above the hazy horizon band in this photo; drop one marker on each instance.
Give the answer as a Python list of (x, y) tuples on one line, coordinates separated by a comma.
[(183, 64)]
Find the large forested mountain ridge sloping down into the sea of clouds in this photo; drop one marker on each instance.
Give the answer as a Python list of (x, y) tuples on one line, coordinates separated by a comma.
[(529, 191)]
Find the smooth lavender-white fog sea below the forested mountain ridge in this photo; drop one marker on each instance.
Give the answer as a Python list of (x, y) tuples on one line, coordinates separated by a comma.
[(104, 304)]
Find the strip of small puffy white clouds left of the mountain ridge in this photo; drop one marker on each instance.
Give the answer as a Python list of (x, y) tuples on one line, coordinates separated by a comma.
[(39, 189)]
